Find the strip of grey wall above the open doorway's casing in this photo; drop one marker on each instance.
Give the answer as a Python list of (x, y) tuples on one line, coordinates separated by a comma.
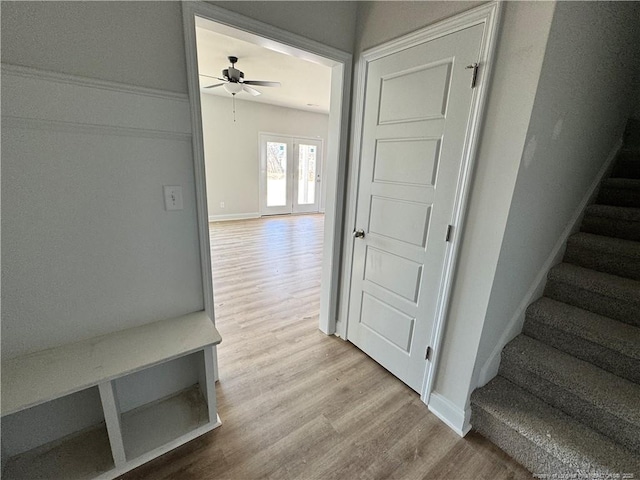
[(328, 22)]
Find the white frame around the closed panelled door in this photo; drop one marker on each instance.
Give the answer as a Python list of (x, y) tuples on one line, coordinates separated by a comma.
[(488, 14)]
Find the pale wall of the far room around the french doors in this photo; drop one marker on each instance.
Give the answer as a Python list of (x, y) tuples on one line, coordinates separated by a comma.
[(231, 148)]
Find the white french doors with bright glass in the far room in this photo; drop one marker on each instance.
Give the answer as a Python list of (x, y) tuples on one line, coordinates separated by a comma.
[(289, 174)]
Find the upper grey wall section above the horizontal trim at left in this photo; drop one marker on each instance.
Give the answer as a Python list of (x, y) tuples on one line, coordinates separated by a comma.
[(136, 43)]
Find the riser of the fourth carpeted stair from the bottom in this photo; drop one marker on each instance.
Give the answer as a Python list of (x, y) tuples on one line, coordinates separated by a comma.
[(617, 309)]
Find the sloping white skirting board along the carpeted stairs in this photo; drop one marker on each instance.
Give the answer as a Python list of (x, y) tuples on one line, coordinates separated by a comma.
[(490, 368)]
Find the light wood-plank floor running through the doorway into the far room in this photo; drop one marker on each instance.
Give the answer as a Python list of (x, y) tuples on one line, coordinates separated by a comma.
[(296, 404)]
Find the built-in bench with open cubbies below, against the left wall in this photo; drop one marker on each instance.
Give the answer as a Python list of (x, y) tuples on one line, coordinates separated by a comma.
[(103, 406)]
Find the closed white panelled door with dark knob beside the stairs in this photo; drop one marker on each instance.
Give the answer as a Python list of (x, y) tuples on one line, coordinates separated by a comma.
[(416, 113)]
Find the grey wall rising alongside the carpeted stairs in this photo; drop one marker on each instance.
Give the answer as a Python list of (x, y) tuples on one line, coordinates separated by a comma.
[(584, 98)]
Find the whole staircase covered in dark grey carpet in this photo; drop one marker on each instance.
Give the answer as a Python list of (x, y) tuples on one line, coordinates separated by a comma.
[(566, 400)]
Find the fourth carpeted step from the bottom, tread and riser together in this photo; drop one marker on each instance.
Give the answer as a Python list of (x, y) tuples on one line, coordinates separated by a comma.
[(609, 295)]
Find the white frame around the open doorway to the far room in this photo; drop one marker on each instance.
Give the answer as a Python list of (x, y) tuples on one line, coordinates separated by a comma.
[(340, 62)]
